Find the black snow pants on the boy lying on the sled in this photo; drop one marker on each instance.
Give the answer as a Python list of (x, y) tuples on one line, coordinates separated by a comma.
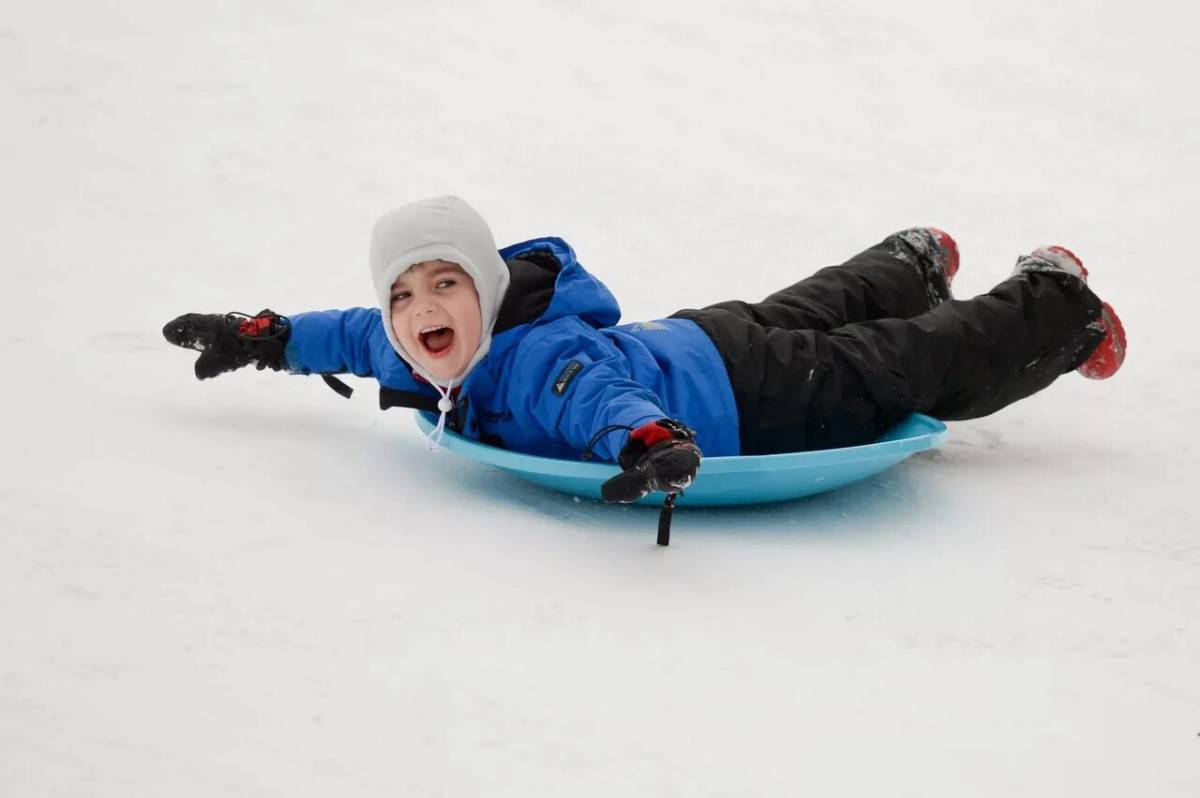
[(838, 358)]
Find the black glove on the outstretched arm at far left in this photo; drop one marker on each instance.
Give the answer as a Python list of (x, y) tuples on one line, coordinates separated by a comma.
[(231, 341)]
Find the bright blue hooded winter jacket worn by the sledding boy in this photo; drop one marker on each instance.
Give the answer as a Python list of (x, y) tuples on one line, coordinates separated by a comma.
[(551, 383)]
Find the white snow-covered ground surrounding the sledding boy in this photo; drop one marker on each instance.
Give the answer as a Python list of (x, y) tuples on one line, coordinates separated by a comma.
[(254, 587)]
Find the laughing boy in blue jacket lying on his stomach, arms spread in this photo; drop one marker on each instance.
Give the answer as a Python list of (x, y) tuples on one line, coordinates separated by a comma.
[(520, 349)]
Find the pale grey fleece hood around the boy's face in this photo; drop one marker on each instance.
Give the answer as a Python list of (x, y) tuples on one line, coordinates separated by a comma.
[(441, 229)]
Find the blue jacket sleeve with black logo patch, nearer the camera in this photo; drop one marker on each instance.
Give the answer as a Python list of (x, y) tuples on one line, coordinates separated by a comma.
[(578, 383)]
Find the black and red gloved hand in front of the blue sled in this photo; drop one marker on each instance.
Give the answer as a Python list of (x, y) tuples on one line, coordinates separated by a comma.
[(659, 457)]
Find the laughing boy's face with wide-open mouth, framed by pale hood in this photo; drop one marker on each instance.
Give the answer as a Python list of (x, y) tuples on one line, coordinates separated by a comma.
[(435, 315)]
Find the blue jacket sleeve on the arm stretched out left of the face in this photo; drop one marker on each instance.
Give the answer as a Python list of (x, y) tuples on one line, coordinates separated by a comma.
[(334, 343)]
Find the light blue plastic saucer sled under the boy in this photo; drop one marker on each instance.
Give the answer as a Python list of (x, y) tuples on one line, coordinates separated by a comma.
[(723, 481)]
